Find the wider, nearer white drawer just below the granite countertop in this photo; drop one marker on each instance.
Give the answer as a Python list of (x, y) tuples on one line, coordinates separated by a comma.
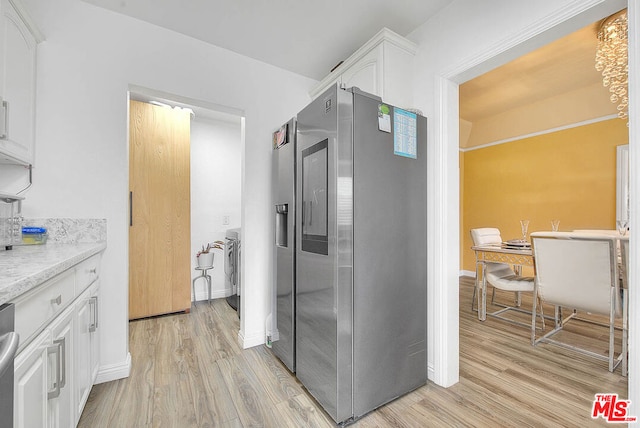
[(35, 309)]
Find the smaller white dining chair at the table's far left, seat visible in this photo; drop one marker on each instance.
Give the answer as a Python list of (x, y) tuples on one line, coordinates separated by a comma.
[(500, 276)]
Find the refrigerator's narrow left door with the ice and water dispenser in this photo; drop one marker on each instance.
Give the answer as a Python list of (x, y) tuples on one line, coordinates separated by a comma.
[(284, 194)]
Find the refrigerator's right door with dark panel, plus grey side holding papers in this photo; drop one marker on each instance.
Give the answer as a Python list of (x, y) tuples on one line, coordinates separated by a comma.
[(361, 252)]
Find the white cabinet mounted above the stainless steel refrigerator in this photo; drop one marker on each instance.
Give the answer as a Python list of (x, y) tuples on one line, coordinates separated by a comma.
[(382, 66)]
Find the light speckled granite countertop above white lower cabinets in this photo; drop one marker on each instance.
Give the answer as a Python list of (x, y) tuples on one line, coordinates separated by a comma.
[(27, 266)]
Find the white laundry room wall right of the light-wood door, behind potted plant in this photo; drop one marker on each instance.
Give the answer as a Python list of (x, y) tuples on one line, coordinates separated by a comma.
[(215, 193)]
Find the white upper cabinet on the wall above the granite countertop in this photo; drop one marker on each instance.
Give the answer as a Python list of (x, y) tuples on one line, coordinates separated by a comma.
[(18, 40)]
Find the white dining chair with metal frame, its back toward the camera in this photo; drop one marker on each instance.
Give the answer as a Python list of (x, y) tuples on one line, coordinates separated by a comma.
[(579, 271)]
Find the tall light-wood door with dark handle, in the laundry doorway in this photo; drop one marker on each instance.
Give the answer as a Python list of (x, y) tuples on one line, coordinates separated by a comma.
[(160, 226)]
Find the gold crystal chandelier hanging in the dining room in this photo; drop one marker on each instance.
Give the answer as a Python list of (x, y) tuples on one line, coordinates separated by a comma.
[(611, 59)]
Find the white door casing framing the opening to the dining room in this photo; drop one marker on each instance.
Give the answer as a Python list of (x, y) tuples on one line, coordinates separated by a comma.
[(445, 243)]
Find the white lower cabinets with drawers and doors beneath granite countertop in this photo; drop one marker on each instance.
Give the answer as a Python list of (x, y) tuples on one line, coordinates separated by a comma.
[(56, 369)]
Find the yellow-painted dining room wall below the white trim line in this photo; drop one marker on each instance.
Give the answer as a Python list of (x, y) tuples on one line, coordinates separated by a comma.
[(568, 175)]
